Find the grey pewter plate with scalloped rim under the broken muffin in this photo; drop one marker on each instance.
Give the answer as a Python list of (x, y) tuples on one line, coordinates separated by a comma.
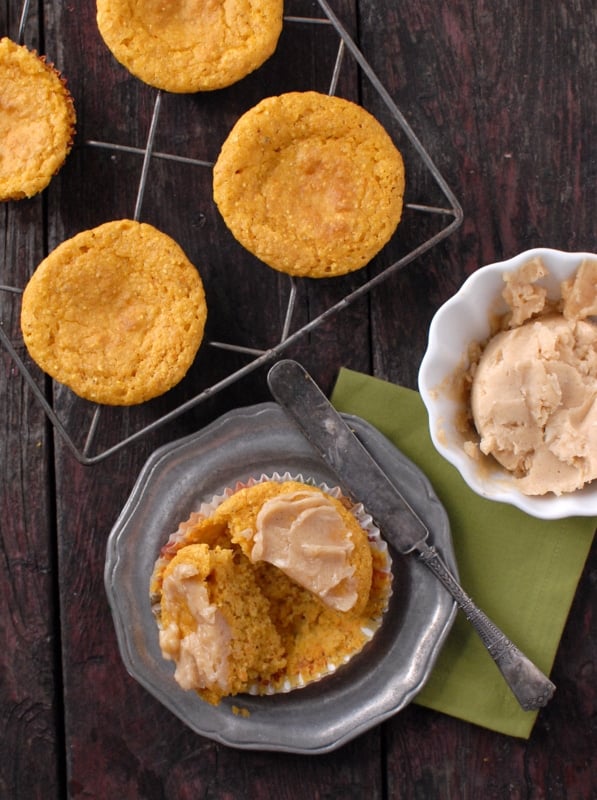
[(374, 685)]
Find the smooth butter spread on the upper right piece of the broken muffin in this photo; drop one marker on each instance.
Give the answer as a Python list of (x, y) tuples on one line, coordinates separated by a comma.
[(303, 535)]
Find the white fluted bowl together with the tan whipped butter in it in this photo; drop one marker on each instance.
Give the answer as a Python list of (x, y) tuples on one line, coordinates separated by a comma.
[(509, 380)]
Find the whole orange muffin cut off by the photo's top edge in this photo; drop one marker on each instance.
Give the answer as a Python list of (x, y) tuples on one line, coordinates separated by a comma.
[(190, 45)]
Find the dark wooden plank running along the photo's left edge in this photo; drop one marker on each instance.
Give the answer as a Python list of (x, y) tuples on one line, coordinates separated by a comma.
[(30, 689)]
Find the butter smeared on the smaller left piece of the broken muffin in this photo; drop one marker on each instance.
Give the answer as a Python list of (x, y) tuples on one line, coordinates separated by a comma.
[(201, 655)]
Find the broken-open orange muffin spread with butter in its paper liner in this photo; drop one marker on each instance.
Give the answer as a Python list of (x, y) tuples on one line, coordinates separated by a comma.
[(321, 579)]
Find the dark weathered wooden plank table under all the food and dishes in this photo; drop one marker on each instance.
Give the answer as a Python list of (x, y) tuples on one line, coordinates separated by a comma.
[(502, 96)]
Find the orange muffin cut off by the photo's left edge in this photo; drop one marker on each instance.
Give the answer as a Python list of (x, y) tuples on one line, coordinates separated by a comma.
[(37, 121)]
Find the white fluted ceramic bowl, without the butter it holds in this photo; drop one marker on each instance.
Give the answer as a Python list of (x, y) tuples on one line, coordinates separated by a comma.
[(461, 321)]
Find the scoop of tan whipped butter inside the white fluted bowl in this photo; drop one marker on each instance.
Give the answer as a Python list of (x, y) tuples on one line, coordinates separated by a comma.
[(534, 388)]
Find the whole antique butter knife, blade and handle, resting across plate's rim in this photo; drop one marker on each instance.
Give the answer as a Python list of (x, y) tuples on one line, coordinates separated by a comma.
[(361, 477)]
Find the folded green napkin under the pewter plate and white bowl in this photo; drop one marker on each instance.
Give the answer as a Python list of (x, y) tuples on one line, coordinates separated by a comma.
[(521, 571)]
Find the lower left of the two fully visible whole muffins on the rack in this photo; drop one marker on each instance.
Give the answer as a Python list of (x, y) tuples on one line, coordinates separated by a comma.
[(116, 313)]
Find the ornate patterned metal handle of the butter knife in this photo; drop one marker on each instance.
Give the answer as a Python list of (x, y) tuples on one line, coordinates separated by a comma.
[(531, 687)]
